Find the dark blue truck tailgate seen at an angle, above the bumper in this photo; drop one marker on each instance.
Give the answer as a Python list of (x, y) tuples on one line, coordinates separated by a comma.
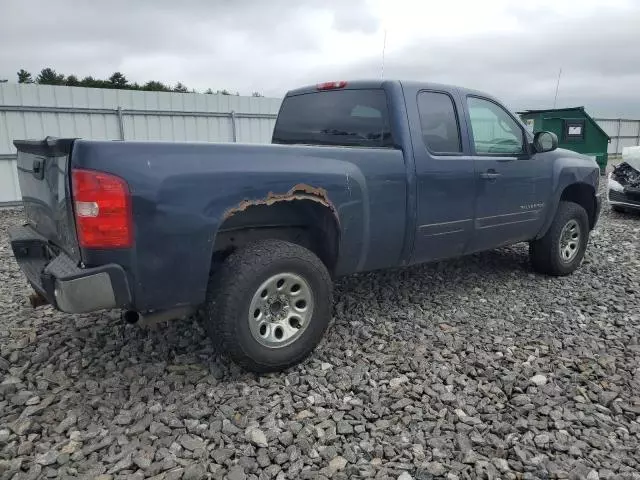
[(43, 174)]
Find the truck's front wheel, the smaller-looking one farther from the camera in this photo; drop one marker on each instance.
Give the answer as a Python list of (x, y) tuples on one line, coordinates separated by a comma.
[(562, 248)]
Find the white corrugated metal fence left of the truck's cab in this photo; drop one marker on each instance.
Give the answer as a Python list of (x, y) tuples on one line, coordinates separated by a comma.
[(35, 111)]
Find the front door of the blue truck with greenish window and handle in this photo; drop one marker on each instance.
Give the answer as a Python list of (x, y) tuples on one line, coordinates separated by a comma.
[(512, 183)]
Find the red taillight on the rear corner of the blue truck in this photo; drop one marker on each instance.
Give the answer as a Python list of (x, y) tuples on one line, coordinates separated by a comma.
[(102, 209)]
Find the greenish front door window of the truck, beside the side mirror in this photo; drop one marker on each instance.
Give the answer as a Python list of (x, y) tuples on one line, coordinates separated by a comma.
[(493, 129)]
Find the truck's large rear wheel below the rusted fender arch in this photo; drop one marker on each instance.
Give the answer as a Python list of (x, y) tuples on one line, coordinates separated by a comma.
[(268, 305)]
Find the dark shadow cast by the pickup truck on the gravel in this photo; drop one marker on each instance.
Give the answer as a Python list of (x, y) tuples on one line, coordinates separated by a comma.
[(102, 349)]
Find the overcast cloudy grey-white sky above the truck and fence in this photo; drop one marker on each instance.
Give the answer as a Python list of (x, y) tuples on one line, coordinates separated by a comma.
[(512, 49)]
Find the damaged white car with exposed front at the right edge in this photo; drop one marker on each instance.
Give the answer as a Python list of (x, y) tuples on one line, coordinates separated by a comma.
[(624, 182)]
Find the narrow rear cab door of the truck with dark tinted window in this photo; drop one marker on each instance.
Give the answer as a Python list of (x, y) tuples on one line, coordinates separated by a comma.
[(445, 175)]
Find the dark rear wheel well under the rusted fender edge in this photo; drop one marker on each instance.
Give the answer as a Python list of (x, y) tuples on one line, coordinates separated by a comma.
[(304, 222)]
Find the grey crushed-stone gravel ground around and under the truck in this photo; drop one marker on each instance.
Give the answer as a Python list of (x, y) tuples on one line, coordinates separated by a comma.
[(473, 368)]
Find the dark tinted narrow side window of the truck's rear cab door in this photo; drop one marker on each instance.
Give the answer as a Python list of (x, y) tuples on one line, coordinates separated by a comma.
[(439, 122)]
